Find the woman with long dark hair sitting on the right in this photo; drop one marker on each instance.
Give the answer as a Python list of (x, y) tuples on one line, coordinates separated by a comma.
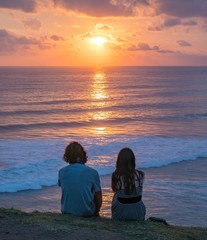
[(127, 184)]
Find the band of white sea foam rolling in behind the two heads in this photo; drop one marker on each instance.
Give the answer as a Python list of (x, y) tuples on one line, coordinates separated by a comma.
[(32, 164)]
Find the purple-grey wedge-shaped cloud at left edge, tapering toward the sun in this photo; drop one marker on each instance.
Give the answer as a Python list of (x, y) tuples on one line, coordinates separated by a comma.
[(11, 43)]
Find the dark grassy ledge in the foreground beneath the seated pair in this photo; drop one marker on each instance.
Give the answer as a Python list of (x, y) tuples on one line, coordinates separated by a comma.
[(18, 225)]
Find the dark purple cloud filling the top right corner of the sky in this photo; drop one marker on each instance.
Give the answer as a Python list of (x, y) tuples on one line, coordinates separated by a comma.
[(182, 8)]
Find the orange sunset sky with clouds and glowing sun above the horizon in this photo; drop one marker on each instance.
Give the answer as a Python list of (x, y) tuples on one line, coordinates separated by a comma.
[(103, 32)]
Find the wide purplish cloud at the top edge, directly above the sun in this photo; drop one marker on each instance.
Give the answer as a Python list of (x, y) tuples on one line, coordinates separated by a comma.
[(102, 8)]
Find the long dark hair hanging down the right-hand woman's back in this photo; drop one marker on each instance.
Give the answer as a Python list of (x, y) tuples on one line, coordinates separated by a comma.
[(125, 175)]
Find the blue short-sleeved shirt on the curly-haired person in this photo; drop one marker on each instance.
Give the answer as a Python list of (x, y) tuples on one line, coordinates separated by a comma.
[(78, 184)]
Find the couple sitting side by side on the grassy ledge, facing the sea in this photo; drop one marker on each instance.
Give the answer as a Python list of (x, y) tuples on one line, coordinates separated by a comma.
[(81, 190)]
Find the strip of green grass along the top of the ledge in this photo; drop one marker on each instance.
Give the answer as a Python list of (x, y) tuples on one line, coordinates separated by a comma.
[(140, 230)]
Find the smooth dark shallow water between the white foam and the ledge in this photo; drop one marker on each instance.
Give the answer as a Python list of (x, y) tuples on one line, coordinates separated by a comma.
[(166, 194)]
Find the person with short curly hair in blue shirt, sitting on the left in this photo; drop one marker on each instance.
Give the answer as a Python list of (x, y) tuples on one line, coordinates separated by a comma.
[(80, 184)]
